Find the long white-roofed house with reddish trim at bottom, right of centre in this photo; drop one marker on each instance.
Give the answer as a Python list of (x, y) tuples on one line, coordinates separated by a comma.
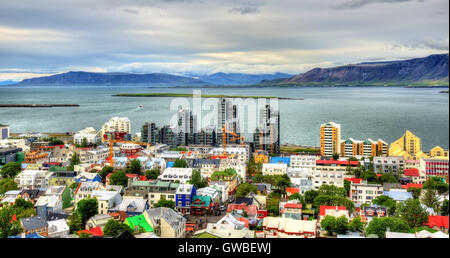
[(276, 227)]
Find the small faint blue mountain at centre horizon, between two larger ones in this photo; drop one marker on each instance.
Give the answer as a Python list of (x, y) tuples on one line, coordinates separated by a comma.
[(240, 78)]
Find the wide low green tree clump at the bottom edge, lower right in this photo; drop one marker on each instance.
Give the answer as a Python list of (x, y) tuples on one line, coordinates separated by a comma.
[(379, 226)]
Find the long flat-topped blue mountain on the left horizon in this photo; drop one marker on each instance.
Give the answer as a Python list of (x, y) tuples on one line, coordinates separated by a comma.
[(88, 78)]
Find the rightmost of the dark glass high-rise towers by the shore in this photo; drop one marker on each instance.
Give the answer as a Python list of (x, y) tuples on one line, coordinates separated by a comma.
[(267, 135)]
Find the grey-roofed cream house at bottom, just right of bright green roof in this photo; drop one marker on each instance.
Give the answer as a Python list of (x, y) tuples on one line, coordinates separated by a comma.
[(166, 223)]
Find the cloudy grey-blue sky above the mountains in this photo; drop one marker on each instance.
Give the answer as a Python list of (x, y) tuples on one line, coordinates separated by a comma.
[(207, 36)]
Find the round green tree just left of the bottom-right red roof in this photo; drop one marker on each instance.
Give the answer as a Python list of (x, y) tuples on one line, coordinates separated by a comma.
[(412, 213)]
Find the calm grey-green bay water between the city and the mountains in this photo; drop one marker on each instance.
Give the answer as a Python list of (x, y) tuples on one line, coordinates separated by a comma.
[(362, 112)]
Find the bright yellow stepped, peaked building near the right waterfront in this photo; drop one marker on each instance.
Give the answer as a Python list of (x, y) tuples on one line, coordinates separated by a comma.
[(408, 146)]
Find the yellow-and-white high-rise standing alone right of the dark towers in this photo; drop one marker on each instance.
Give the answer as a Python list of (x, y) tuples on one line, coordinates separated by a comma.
[(330, 139)]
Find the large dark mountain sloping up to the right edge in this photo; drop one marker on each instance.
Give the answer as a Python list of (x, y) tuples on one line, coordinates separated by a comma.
[(431, 70)]
